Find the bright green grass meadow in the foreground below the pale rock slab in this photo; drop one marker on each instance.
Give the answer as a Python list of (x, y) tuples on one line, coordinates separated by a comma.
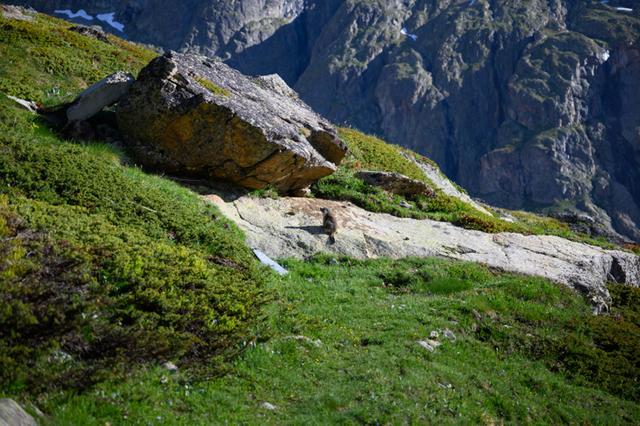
[(525, 353)]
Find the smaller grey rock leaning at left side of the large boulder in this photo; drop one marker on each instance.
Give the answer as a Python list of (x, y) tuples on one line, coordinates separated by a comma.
[(94, 99)]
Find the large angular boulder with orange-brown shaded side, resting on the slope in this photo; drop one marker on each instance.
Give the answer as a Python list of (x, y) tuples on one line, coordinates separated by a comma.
[(190, 115)]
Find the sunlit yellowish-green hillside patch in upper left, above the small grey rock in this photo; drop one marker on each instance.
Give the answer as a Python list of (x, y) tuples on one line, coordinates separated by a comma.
[(45, 62)]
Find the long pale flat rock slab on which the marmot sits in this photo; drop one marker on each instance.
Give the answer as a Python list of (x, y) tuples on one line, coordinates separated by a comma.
[(292, 227)]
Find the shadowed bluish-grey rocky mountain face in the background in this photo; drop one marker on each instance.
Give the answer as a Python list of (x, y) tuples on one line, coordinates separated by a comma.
[(531, 104)]
